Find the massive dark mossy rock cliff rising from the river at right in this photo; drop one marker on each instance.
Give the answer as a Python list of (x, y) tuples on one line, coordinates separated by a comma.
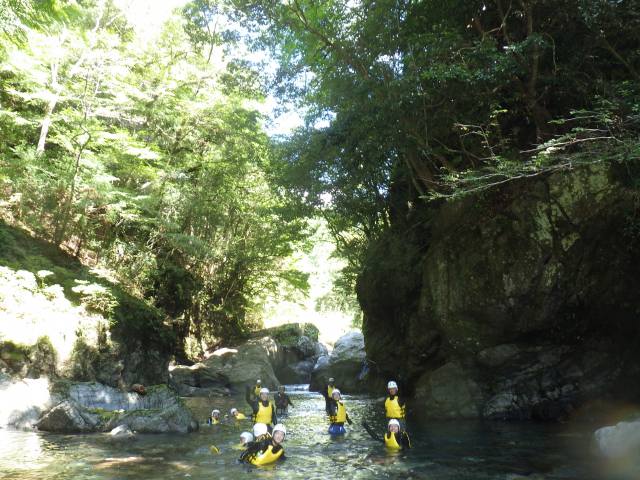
[(517, 303)]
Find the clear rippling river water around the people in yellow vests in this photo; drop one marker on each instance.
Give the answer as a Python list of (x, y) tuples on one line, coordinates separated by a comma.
[(447, 450)]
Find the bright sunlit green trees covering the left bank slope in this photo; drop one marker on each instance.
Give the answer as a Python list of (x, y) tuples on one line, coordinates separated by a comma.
[(148, 160)]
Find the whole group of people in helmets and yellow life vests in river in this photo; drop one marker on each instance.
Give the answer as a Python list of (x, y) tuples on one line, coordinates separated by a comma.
[(265, 444)]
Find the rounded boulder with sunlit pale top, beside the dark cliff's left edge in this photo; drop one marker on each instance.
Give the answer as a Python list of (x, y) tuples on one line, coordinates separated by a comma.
[(346, 365)]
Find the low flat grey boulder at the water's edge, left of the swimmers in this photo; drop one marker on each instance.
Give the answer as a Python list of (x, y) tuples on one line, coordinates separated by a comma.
[(93, 407)]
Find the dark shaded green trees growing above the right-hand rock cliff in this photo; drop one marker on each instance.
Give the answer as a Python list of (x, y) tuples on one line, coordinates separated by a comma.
[(410, 102)]
